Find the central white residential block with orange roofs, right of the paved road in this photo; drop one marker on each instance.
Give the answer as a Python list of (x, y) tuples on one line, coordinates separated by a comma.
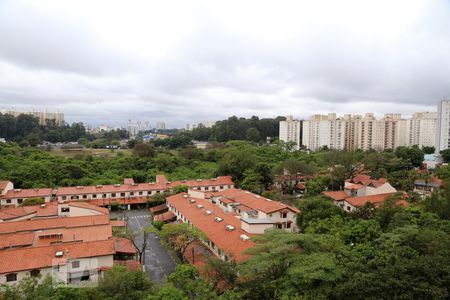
[(230, 218)]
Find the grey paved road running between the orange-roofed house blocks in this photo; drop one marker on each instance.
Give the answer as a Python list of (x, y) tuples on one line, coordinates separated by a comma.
[(158, 263)]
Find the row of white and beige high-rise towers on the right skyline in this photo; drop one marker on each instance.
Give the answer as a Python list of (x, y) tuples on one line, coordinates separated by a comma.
[(364, 132)]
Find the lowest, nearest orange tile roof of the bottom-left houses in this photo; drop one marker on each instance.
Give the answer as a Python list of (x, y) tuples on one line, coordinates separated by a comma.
[(42, 257)]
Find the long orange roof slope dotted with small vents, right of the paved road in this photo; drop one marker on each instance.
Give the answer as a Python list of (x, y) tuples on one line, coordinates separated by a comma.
[(228, 241)]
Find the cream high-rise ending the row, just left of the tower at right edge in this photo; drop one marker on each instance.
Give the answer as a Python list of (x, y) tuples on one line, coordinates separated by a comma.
[(421, 129)]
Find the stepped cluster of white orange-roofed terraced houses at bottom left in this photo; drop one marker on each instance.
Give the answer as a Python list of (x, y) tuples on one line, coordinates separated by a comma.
[(72, 242)]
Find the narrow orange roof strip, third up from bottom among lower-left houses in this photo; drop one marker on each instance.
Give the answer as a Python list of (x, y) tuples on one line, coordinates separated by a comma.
[(39, 224)]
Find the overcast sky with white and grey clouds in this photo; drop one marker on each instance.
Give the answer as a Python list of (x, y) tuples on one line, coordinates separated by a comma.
[(191, 61)]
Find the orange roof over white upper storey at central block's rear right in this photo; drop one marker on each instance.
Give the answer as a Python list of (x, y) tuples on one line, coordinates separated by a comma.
[(254, 201)]
